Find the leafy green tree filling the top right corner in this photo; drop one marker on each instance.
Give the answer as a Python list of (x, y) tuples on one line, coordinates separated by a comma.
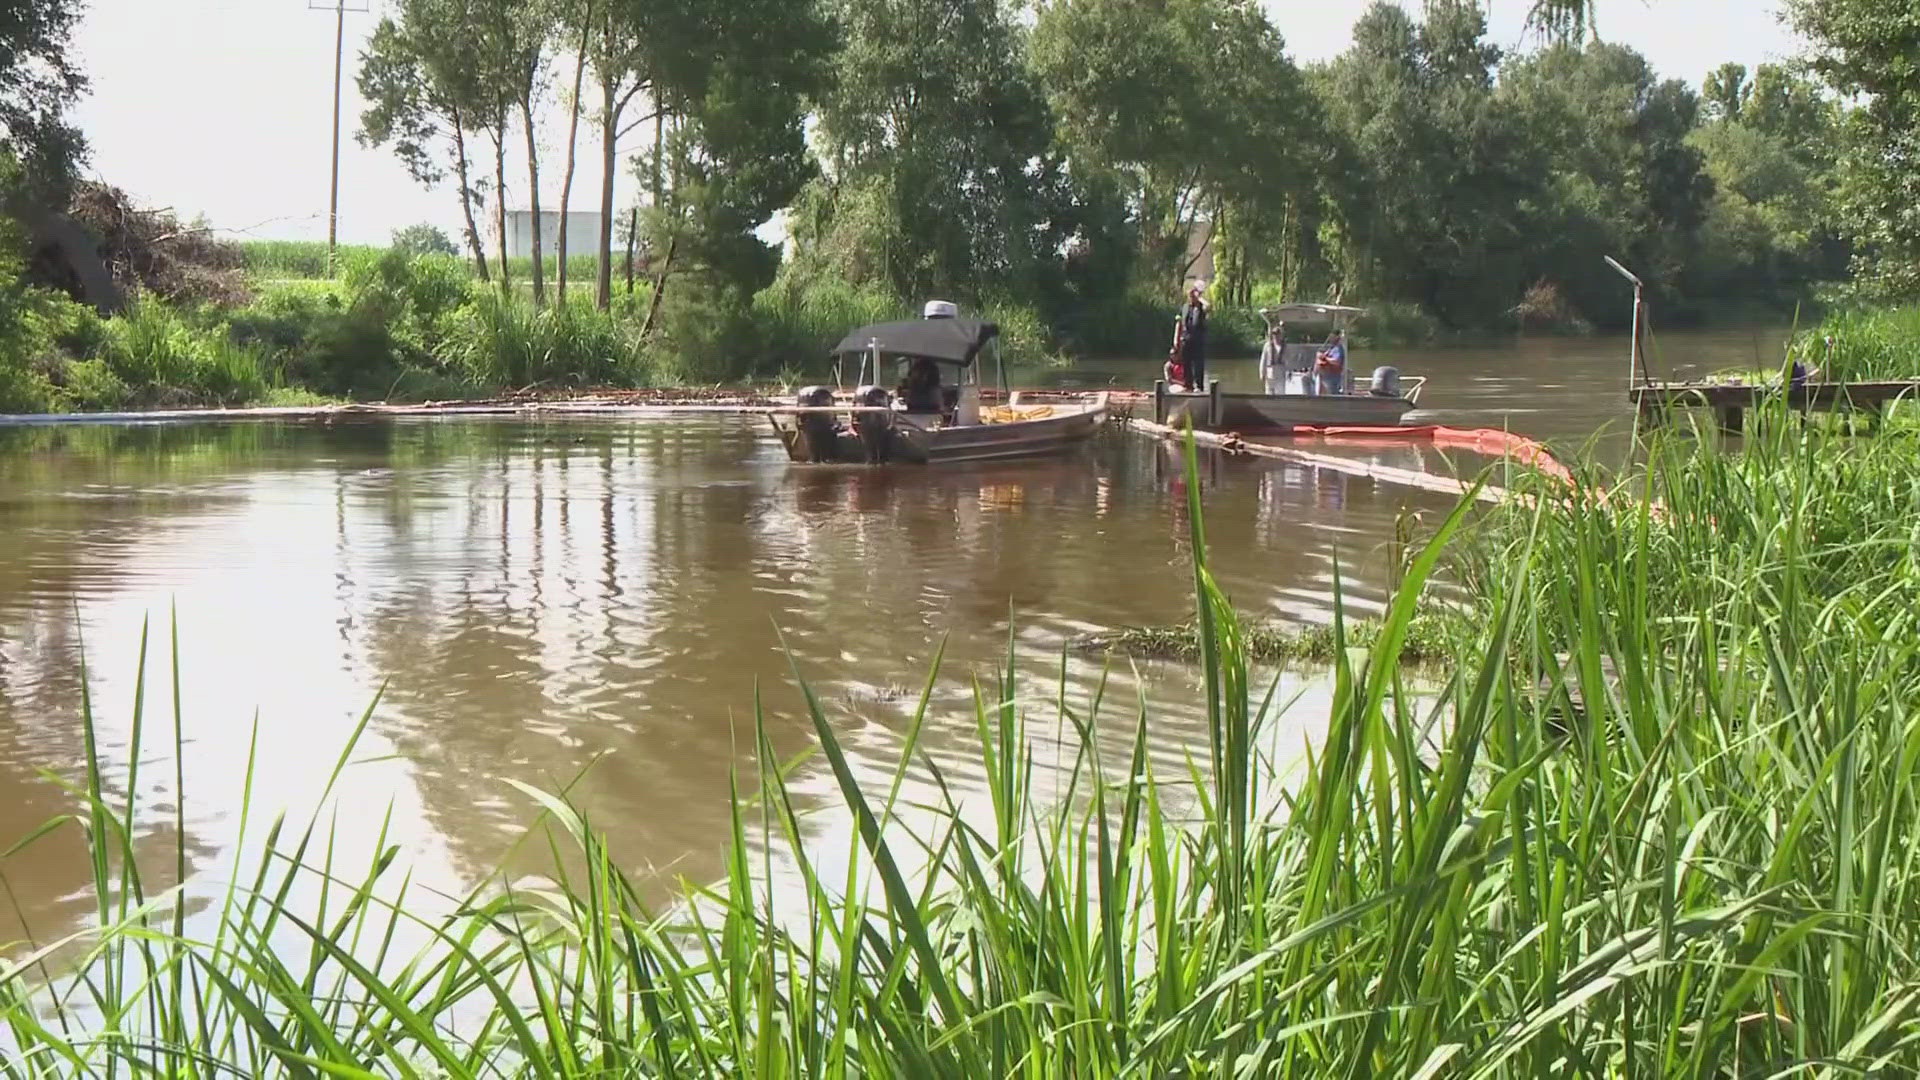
[(1869, 47)]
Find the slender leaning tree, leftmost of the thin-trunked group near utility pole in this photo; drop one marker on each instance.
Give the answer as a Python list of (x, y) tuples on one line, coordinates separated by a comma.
[(425, 101)]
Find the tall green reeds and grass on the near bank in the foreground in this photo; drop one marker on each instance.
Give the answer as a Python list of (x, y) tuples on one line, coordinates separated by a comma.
[(1658, 820)]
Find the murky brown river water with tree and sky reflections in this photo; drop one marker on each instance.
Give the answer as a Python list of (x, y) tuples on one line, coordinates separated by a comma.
[(596, 606)]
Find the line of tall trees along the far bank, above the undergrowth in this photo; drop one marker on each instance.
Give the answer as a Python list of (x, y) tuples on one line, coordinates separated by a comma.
[(1057, 162)]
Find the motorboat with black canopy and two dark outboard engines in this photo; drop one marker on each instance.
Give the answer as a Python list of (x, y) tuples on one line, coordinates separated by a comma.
[(938, 414)]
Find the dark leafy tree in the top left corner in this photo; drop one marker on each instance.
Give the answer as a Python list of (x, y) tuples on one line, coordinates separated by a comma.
[(37, 84)]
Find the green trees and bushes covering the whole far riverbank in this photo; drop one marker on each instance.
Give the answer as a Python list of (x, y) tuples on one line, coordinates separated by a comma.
[(1063, 176)]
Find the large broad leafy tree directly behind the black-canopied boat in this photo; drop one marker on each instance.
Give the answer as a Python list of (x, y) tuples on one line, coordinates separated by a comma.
[(936, 155)]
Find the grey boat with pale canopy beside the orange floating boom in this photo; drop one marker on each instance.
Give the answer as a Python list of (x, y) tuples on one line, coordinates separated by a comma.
[(1289, 399)]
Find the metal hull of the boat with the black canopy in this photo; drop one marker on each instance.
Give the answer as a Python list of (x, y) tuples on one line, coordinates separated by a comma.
[(901, 439)]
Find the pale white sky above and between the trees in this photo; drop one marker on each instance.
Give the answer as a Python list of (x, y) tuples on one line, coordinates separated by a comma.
[(226, 107)]
